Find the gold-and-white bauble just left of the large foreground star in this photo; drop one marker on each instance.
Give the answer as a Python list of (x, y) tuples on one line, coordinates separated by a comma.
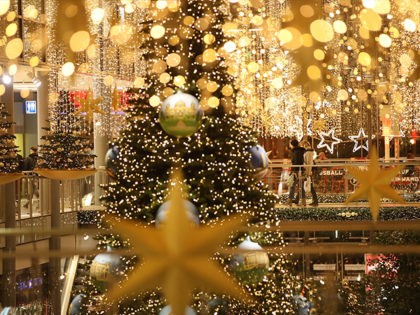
[(104, 268)]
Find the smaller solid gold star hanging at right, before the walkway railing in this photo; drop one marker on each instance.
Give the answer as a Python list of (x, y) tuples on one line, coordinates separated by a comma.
[(374, 184)]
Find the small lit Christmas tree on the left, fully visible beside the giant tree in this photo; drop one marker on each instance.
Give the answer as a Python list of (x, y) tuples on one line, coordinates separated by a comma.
[(68, 144)]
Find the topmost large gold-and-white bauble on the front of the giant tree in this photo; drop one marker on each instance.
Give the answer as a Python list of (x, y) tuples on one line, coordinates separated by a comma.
[(180, 115)]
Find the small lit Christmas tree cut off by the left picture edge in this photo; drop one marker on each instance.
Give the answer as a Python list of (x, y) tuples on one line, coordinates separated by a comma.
[(9, 162)]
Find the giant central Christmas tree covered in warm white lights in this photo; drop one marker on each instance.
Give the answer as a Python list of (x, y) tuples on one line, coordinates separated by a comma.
[(184, 46)]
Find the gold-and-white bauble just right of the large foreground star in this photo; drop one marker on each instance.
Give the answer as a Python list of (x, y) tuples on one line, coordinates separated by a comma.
[(252, 266)]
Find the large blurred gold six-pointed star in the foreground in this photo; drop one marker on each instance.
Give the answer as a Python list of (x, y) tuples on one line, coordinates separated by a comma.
[(176, 256)]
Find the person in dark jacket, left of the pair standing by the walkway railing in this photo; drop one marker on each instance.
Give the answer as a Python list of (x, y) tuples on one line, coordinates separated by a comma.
[(297, 158)]
